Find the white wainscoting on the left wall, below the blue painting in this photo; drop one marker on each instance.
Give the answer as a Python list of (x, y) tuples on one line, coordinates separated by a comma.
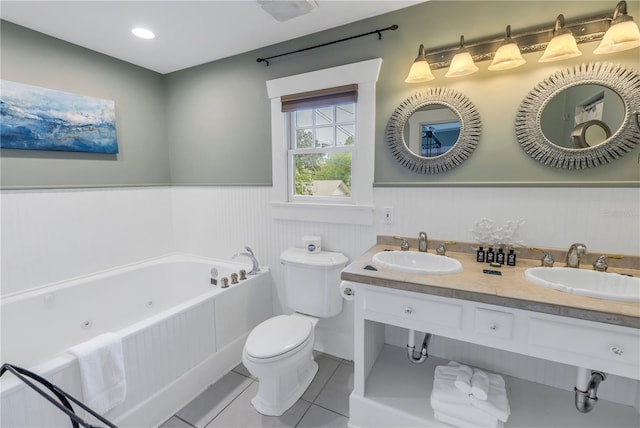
[(54, 235)]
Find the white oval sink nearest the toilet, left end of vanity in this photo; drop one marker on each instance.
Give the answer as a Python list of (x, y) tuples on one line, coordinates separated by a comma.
[(416, 262)]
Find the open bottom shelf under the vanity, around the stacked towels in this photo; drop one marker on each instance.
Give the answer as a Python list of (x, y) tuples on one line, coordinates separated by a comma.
[(398, 391)]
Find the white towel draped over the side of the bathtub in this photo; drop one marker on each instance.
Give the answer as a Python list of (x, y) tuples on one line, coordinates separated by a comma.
[(101, 362)]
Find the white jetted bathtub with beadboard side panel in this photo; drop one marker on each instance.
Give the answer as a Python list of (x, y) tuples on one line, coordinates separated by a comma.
[(180, 333)]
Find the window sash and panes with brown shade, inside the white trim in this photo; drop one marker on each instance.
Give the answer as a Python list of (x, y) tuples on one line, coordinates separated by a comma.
[(322, 137)]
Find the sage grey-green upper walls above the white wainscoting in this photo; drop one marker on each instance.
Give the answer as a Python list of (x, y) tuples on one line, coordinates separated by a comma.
[(217, 114)]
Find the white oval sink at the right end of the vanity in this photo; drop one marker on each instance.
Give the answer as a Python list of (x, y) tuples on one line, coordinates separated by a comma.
[(603, 285)]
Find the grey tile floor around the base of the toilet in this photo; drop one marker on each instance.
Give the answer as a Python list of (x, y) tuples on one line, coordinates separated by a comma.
[(227, 403)]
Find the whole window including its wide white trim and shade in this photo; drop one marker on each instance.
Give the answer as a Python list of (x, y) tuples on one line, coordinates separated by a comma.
[(318, 131)]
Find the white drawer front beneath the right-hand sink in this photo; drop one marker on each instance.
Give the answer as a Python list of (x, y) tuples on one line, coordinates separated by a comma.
[(607, 344)]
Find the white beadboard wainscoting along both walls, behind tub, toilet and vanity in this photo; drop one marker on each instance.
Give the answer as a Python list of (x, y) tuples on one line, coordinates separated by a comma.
[(53, 235)]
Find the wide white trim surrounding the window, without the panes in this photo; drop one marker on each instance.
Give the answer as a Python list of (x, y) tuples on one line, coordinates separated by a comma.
[(360, 209)]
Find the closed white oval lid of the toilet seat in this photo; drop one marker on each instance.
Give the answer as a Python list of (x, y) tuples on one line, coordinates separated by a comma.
[(277, 335)]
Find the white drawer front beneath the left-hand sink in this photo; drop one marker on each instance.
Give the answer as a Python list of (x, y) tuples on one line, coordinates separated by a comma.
[(433, 312)]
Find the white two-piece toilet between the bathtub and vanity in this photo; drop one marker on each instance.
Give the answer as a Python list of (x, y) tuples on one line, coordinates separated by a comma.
[(279, 351)]
